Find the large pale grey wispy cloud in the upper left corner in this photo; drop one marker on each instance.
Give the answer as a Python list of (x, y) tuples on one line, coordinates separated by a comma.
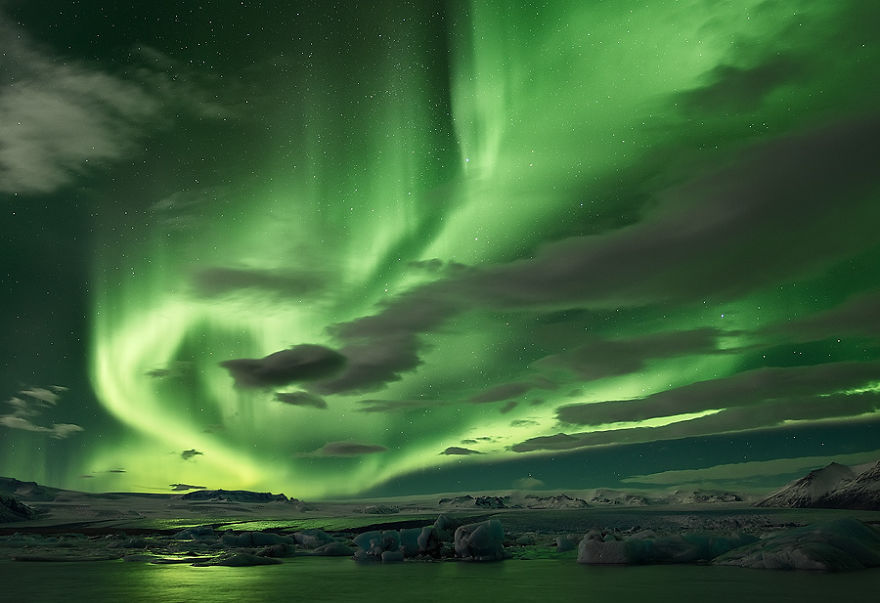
[(63, 118)]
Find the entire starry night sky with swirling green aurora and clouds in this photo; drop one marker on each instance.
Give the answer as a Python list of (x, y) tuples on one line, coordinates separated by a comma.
[(384, 248)]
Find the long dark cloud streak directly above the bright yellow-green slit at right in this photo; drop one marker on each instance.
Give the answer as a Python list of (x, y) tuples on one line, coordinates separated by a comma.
[(752, 388)]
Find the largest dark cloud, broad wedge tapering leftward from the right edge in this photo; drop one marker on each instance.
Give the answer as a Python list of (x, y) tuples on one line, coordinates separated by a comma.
[(775, 196)]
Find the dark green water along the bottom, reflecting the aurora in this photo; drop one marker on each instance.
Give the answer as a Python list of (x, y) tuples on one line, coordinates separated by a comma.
[(335, 579)]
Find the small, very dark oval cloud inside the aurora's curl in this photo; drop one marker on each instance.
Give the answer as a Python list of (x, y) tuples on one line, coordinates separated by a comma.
[(300, 363)]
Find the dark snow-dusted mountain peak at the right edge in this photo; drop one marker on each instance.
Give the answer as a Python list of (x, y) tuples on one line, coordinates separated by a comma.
[(833, 487)]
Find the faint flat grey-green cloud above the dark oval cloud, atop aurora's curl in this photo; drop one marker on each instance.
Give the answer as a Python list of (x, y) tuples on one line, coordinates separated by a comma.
[(217, 281)]
